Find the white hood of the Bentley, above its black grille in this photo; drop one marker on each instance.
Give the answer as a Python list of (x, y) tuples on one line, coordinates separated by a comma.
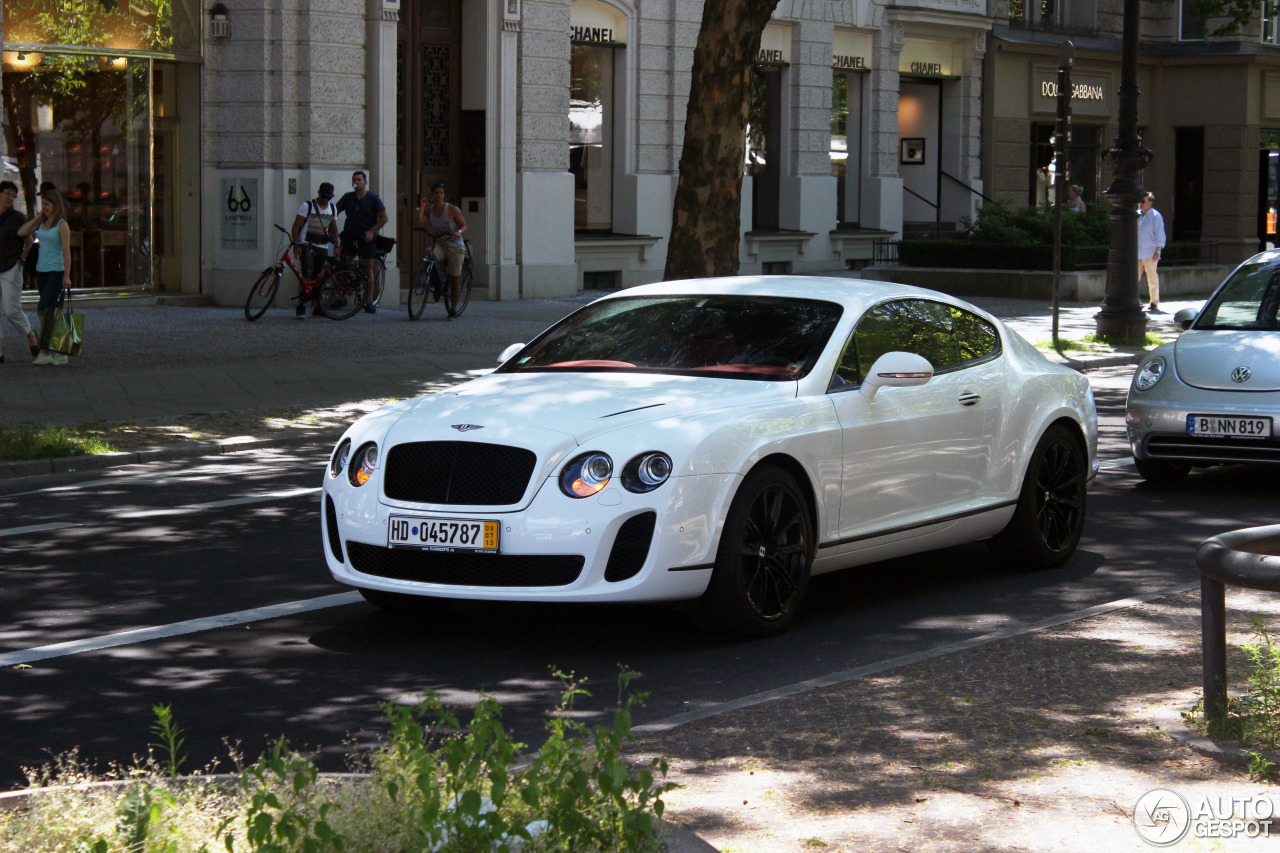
[(541, 410)]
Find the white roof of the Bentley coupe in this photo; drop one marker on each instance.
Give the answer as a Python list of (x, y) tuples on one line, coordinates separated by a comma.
[(854, 294)]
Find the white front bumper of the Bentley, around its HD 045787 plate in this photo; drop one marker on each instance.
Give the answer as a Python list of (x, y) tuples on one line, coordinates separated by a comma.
[(556, 550)]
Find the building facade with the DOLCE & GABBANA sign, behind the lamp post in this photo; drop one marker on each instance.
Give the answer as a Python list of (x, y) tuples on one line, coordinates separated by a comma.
[(1209, 110)]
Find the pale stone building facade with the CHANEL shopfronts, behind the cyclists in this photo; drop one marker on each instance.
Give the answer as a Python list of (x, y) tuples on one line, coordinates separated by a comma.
[(557, 126)]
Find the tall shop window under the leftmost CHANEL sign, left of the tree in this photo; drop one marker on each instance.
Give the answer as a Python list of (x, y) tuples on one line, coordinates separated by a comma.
[(592, 135)]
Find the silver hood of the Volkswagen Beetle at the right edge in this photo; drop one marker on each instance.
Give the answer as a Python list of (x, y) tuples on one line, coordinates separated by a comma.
[(1208, 359)]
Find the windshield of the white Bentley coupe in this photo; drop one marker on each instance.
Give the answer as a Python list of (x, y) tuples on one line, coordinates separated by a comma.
[(743, 337)]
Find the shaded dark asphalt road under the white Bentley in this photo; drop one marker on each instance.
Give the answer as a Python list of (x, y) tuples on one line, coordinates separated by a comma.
[(214, 542)]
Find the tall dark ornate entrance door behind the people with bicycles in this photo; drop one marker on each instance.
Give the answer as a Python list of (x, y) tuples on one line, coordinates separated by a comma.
[(428, 122)]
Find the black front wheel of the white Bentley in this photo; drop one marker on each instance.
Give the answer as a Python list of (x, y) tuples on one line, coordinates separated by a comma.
[(762, 567)]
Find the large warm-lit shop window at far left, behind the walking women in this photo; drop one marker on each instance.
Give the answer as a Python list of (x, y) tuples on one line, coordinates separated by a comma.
[(84, 124)]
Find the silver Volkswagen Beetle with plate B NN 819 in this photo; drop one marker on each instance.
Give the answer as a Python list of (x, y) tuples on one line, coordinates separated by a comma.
[(1213, 395)]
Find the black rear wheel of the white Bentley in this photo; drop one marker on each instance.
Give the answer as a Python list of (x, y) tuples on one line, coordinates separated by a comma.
[(1050, 518)]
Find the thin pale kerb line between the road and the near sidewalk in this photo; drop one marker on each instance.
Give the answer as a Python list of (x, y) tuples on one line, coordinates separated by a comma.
[(903, 660)]
